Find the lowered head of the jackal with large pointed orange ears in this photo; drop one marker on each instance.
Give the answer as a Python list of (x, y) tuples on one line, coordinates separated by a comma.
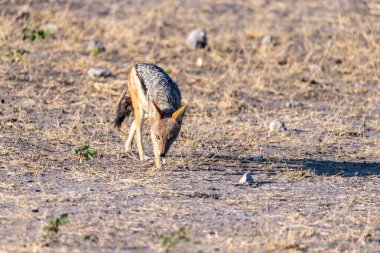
[(164, 130)]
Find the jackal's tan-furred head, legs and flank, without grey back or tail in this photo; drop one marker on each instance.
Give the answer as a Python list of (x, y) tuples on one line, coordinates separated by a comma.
[(164, 130)]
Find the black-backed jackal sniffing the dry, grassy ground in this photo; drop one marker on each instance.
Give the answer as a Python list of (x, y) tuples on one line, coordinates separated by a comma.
[(151, 91)]
